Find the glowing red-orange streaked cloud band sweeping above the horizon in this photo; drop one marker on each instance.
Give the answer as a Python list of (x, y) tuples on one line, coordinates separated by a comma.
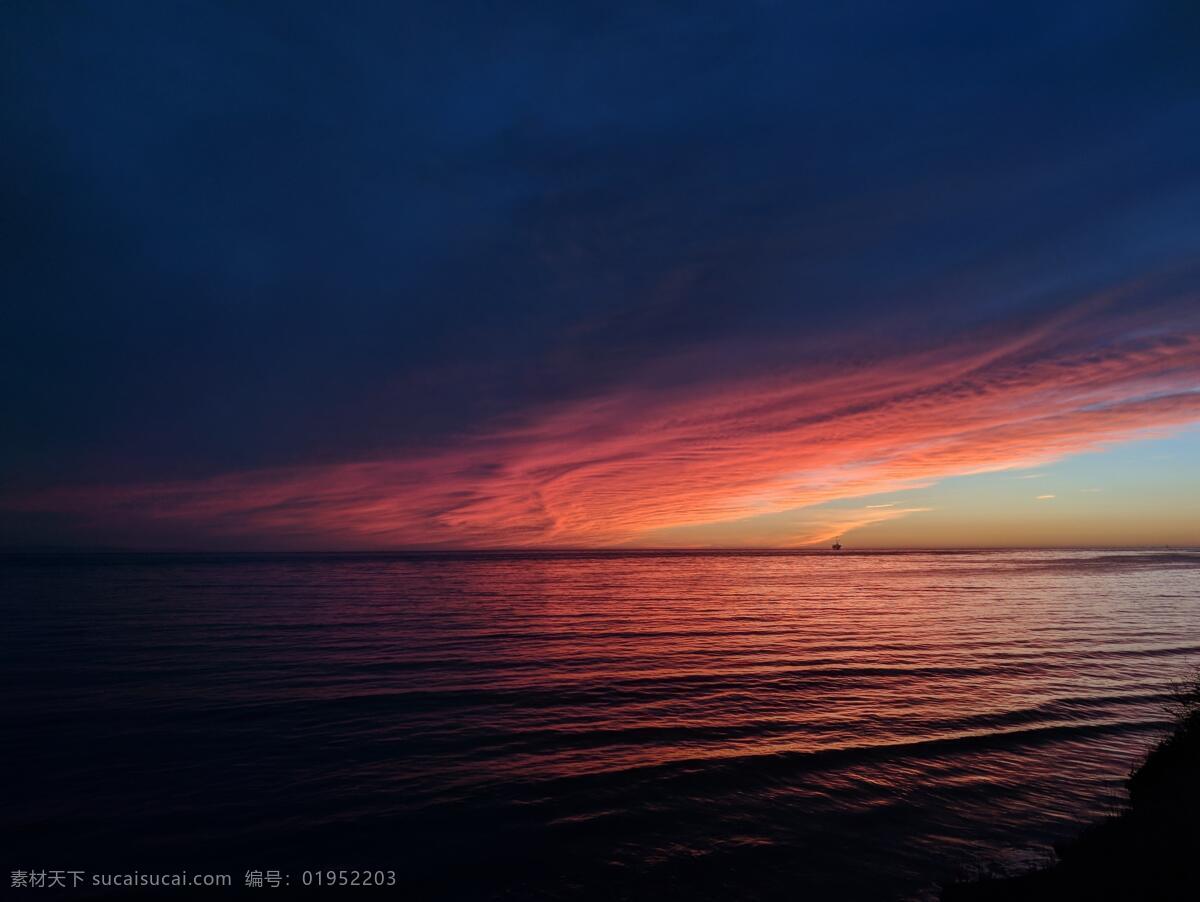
[(639, 465)]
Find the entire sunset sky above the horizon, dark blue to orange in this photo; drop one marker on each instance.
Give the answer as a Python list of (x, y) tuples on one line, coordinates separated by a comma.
[(314, 276)]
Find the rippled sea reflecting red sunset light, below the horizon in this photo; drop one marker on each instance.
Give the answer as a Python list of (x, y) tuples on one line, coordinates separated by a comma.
[(598, 726)]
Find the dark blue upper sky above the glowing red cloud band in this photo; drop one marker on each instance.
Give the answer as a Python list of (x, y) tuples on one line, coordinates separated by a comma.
[(247, 236)]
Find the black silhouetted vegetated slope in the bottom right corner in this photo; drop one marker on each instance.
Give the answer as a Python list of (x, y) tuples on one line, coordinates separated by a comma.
[(1147, 851)]
